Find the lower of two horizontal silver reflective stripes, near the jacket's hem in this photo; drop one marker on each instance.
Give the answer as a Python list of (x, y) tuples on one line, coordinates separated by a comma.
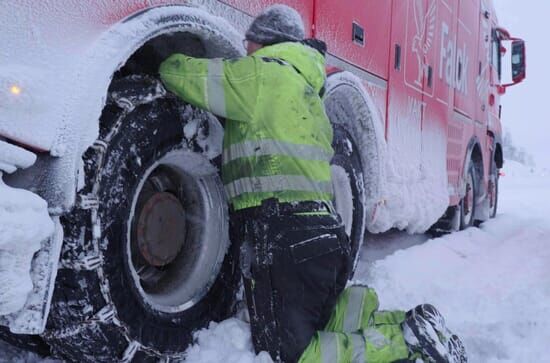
[(276, 183)]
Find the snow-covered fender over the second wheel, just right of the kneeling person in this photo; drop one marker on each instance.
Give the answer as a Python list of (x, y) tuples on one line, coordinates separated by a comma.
[(347, 102)]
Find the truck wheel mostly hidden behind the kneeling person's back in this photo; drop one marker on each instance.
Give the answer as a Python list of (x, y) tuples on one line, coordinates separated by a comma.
[(347, 174)]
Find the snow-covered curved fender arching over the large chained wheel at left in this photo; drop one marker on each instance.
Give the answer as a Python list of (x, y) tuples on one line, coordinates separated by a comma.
[(83, 91)]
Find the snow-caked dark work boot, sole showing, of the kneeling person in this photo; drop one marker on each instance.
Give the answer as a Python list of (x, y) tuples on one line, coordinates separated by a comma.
[(426, 333)]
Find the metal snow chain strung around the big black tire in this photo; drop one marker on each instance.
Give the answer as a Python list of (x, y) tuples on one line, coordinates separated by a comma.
[(94, 261)]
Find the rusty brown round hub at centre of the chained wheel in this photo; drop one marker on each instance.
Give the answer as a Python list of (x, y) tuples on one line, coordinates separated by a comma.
[(161, 229)]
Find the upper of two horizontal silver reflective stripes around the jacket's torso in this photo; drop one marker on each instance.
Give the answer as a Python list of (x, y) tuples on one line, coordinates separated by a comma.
[(274, 147)]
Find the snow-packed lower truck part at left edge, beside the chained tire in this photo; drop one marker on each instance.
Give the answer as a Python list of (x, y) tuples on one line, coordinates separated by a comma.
[(30, 246)]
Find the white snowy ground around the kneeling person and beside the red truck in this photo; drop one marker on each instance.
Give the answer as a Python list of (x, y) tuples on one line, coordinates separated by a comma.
[(492, 283)]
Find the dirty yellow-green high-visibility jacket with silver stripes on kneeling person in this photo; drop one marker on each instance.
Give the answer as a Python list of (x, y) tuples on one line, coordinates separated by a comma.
[(277, 141)]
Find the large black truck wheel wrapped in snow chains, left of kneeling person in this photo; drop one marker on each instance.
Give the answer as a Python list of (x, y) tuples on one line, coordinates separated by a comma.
[(146, 258)]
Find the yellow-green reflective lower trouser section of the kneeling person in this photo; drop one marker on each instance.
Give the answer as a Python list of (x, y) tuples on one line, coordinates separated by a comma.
[(358, 333)]
